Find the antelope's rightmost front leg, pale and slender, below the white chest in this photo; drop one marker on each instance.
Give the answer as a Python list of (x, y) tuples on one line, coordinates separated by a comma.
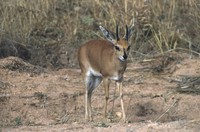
[(119, 85)]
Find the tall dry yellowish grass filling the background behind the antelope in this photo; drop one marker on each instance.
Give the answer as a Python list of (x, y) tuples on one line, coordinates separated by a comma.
[(160, 25)]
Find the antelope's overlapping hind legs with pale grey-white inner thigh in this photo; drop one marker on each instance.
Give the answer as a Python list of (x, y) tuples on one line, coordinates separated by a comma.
[(91, 83)]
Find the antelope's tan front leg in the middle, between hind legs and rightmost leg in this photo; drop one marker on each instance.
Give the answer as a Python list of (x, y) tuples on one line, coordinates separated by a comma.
[(106, 87)]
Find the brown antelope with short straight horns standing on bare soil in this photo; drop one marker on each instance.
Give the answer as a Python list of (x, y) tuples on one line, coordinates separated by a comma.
[(103, 60)]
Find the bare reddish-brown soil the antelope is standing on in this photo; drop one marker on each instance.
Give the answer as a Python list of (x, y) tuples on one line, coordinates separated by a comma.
[(160, 94)]
